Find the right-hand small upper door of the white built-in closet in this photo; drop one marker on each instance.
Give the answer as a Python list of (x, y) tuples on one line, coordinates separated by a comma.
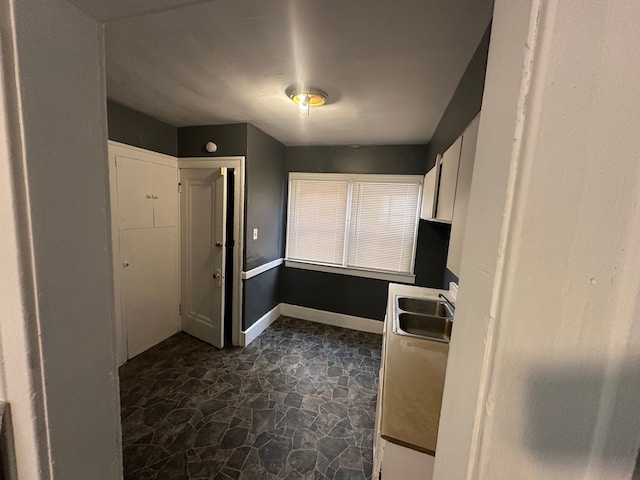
[(165, 195)]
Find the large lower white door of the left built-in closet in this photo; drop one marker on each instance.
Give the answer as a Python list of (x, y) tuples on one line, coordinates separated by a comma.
[(149, 280)]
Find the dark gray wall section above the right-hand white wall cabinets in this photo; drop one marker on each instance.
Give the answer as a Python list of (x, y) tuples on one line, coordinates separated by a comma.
[(465, 103)]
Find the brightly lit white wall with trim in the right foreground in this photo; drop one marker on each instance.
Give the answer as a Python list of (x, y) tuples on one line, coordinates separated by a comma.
[(544, 372)]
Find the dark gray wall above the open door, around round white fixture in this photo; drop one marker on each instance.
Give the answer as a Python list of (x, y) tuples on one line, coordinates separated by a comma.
[(231, 140)]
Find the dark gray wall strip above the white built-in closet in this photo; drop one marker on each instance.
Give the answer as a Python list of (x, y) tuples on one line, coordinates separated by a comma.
[(135, 128)]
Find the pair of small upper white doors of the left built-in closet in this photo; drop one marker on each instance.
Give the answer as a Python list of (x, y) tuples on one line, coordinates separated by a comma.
[(147, 194)]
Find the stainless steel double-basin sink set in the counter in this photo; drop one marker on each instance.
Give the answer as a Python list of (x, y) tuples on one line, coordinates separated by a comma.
[(428, 319)]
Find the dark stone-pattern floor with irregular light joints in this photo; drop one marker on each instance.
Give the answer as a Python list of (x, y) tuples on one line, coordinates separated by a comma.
[(298, 403)]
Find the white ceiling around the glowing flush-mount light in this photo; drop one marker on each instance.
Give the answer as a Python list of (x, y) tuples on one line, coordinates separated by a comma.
[(389, 67)]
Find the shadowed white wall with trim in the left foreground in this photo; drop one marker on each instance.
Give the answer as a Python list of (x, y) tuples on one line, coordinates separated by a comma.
[(57, 329)]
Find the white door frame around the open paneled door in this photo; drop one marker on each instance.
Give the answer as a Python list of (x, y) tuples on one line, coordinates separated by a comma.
[(238, 164)]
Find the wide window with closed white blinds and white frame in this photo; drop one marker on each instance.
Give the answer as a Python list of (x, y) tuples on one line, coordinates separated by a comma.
[(354, 224)]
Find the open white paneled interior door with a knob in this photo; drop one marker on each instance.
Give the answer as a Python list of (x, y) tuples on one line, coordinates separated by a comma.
[(203, 208)]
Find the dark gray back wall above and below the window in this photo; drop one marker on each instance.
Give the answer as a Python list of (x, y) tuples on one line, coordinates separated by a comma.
[(358, 296)]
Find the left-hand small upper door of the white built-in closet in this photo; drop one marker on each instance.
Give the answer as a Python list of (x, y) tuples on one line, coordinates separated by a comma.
[(135, 205)]
